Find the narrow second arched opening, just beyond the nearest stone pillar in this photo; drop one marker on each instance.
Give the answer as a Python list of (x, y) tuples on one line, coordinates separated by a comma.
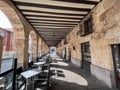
[(32, 50)]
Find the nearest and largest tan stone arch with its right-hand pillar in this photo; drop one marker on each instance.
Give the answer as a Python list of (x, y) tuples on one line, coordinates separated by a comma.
[(18, 29)]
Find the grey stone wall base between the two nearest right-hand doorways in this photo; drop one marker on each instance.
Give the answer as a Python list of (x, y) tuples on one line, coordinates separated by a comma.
[(104, 75)]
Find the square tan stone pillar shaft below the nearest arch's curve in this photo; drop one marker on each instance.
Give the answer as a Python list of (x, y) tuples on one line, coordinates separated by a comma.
[(21, 48)]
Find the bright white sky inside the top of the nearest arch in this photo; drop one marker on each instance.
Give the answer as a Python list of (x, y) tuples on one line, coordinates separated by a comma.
[(4, 22)]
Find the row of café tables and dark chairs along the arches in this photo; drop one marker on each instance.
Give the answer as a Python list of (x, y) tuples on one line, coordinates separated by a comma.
[(36, 77)]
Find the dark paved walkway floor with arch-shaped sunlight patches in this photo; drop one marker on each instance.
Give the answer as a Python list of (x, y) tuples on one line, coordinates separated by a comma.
[(65, 76)]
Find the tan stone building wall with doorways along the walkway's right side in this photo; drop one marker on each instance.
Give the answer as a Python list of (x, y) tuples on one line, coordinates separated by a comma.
[(94, 44)]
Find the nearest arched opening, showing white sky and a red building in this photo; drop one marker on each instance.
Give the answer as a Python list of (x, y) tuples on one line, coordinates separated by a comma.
[(6, 32)]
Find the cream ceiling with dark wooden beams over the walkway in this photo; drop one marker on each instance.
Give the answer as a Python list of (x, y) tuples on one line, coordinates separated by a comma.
[(54, 19)]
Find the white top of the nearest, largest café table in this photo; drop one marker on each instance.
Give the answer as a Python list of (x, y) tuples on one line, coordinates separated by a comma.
[(30, 73)]
